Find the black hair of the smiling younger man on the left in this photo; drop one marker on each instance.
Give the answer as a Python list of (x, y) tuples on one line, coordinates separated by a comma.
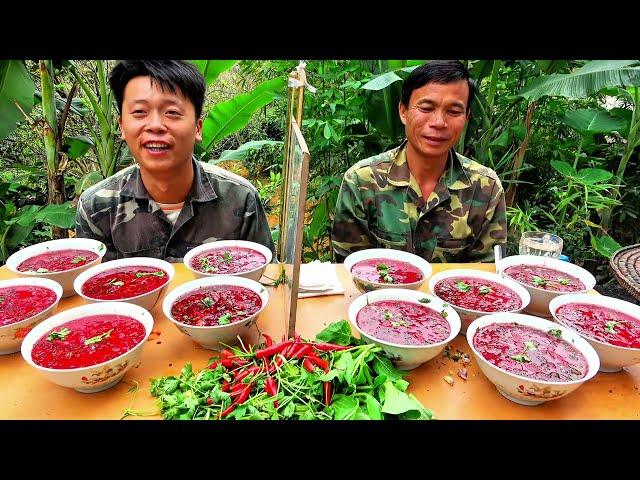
[(168, 74)]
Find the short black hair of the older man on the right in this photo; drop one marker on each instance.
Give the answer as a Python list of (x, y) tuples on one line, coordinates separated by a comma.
[(437, 71)]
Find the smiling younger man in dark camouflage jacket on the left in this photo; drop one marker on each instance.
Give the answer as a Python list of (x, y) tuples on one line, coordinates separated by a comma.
[(168, 203)]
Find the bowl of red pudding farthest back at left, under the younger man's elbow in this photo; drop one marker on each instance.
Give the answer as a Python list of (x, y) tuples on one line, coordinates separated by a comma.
[(58, 260)]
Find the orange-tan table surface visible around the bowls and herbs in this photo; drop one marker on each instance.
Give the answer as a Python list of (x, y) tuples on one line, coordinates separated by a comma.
[(25, 394)]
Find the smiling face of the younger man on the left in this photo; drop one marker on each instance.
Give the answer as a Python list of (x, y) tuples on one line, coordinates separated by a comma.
[(160, 127)]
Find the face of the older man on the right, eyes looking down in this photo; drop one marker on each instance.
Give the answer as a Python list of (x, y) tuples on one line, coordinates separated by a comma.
[(435, 117)]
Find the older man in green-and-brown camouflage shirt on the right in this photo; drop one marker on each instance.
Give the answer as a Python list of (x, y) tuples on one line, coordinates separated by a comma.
[(423, 197)]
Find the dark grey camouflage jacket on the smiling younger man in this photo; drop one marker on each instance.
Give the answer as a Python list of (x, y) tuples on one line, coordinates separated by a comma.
[(220, 206)]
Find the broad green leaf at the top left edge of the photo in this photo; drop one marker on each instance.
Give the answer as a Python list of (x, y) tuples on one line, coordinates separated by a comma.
[(16, 86)]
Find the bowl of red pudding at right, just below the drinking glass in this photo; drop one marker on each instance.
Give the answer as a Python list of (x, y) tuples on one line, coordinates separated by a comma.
[(545, 279)]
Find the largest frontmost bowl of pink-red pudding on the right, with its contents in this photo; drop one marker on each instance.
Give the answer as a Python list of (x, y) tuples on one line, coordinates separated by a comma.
[(530, 360)]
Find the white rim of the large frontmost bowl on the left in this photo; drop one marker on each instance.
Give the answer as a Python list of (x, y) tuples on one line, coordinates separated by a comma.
[(144, 314)]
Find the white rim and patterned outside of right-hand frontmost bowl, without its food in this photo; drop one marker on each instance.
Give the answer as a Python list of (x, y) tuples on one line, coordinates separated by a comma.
[(524, 390)]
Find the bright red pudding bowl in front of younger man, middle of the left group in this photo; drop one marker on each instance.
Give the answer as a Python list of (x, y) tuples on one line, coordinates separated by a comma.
[(137, 280)]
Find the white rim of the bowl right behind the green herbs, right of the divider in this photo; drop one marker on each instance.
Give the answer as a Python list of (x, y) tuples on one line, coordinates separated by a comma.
[(390, 292)]
